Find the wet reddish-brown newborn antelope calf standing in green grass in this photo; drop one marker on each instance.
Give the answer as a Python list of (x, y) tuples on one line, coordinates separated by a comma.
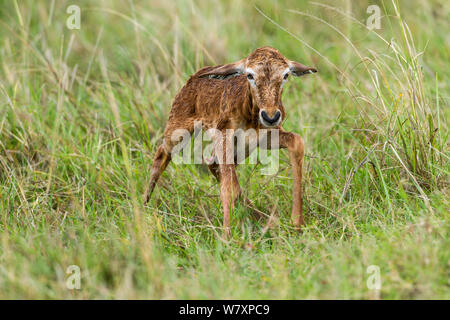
[(241, 95)]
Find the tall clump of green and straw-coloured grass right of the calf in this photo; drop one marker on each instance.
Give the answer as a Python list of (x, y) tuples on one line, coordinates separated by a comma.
[(397, 119)]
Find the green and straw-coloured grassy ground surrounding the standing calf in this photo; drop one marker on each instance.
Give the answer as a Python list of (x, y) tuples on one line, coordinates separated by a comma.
[(82, 111)]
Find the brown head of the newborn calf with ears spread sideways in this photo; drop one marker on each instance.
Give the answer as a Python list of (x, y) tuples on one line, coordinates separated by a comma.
[(266, 70)]
